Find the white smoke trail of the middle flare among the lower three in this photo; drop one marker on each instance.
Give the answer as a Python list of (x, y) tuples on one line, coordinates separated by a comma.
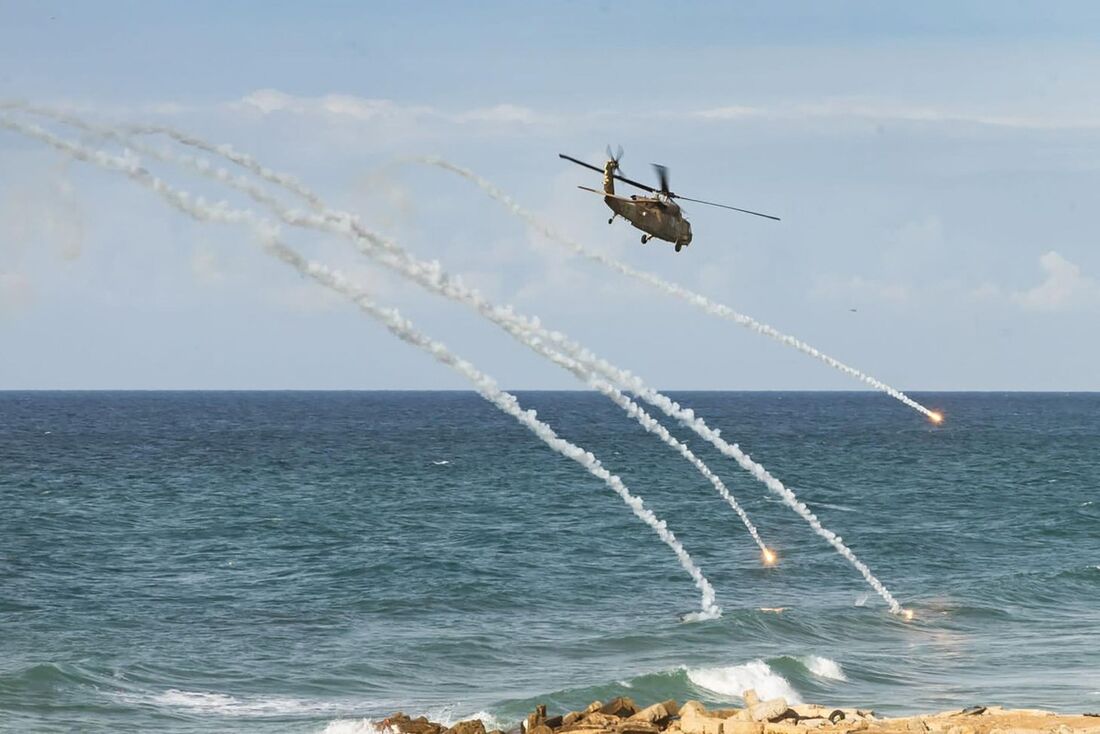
[(414, 270)]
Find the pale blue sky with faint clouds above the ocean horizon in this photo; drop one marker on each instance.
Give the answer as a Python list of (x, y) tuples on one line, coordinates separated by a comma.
[(936, 166)]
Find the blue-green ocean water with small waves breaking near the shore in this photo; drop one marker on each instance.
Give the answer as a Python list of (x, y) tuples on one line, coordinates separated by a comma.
[(305, 562)]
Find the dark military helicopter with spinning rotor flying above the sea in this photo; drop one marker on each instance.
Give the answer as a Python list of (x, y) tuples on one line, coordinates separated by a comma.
[(658, 215)]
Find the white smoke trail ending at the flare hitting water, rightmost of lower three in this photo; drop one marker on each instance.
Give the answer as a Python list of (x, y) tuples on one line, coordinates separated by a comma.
[(530, 332)]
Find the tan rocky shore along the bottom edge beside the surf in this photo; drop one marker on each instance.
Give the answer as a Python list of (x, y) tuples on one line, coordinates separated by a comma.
[(773, 717)]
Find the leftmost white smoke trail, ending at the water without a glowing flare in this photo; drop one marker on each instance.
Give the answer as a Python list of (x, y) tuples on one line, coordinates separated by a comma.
[(401, 327)]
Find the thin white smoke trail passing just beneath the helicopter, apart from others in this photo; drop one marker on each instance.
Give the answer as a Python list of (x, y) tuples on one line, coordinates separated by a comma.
[(673, 289)]
